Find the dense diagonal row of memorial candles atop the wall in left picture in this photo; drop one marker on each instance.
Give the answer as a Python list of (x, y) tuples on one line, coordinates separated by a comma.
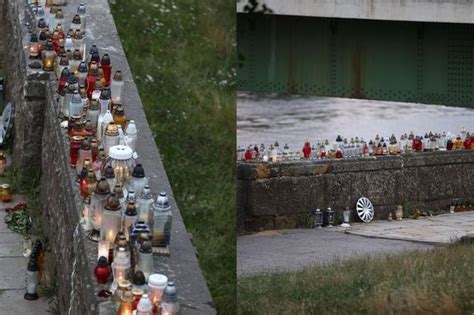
[(120, 211)]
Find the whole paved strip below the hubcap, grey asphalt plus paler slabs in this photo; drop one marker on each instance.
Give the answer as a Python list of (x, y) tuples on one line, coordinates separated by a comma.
[(273, 251)]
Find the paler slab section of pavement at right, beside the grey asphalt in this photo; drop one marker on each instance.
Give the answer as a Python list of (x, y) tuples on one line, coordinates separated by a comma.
[(437, 229)]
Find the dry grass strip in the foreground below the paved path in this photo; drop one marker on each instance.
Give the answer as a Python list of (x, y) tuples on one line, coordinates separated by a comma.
[(438, 281)]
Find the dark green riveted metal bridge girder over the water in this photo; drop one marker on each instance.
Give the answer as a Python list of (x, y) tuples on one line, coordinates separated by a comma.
[(385, 60)]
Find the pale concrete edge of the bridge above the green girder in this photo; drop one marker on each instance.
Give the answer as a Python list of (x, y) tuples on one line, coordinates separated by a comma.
[(451, 11)]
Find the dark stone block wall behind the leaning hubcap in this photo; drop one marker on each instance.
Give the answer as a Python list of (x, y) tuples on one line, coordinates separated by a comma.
[(281, 195)]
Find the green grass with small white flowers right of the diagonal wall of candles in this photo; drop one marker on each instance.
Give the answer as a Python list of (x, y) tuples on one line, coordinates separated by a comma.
[(182, 55)]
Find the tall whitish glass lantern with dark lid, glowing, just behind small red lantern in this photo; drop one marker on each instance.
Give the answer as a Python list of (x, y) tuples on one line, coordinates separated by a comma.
[(111, 219)]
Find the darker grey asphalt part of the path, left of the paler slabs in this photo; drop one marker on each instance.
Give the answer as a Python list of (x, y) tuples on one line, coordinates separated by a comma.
[(293, 249)]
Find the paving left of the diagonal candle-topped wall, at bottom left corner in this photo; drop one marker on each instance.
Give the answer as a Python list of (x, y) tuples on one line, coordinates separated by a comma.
[(13, 270)]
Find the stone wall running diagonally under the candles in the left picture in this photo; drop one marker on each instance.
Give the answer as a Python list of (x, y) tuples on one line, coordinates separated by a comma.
[(40, 145)]
